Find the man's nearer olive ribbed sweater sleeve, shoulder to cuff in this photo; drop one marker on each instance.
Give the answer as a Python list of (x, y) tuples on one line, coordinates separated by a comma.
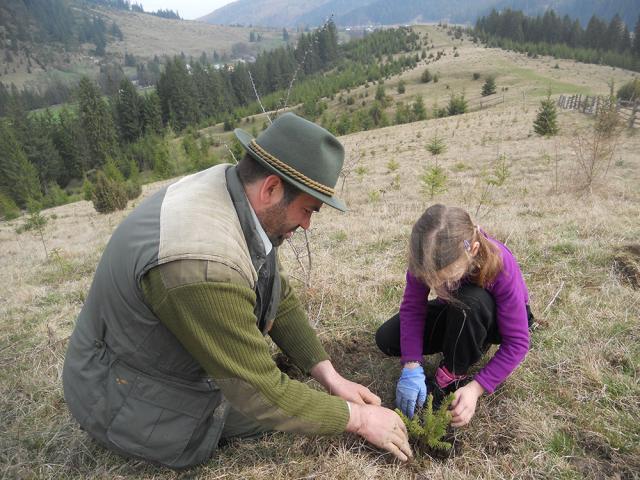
[(215, 323)]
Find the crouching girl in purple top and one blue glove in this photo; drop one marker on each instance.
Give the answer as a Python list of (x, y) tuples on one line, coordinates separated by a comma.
[(482, 300)]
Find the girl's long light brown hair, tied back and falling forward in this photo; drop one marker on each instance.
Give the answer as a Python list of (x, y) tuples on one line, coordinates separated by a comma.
[(443, 235)]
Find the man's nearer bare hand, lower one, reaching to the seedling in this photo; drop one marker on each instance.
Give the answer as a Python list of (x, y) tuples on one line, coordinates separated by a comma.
[(380, 427)]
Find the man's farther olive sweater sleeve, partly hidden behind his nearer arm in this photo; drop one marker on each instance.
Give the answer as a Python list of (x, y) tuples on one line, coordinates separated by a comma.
[(293, 334)]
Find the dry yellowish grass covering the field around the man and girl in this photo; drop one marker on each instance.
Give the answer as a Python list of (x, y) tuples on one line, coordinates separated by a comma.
[(569, 411)]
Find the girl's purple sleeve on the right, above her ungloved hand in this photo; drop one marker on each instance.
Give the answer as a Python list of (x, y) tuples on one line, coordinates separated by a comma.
[(510, 295)]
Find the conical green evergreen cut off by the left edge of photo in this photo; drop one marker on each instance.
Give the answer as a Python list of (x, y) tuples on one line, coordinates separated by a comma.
[(18, 177)]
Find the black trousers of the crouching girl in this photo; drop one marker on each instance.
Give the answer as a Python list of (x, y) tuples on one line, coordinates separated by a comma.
[(461, 330)]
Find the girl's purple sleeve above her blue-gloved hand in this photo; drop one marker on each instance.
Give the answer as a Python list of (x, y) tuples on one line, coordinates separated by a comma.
[(413, 314)]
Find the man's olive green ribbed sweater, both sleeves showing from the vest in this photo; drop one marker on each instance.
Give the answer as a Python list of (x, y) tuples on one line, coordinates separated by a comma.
[(216, 324)]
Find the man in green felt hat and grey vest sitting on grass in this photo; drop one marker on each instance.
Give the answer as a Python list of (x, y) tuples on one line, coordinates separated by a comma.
[(168, 355)]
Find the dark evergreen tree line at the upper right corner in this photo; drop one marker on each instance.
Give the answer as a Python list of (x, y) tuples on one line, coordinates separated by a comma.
[(600, 42)]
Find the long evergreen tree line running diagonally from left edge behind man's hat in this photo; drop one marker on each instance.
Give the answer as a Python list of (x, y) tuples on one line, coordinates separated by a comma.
[(43, 153)]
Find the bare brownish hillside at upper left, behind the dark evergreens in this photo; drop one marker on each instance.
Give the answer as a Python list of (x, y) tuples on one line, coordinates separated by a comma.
[(39, 58)]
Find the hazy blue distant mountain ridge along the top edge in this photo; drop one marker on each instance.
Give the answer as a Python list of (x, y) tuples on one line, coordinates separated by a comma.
[(291, 13)]
